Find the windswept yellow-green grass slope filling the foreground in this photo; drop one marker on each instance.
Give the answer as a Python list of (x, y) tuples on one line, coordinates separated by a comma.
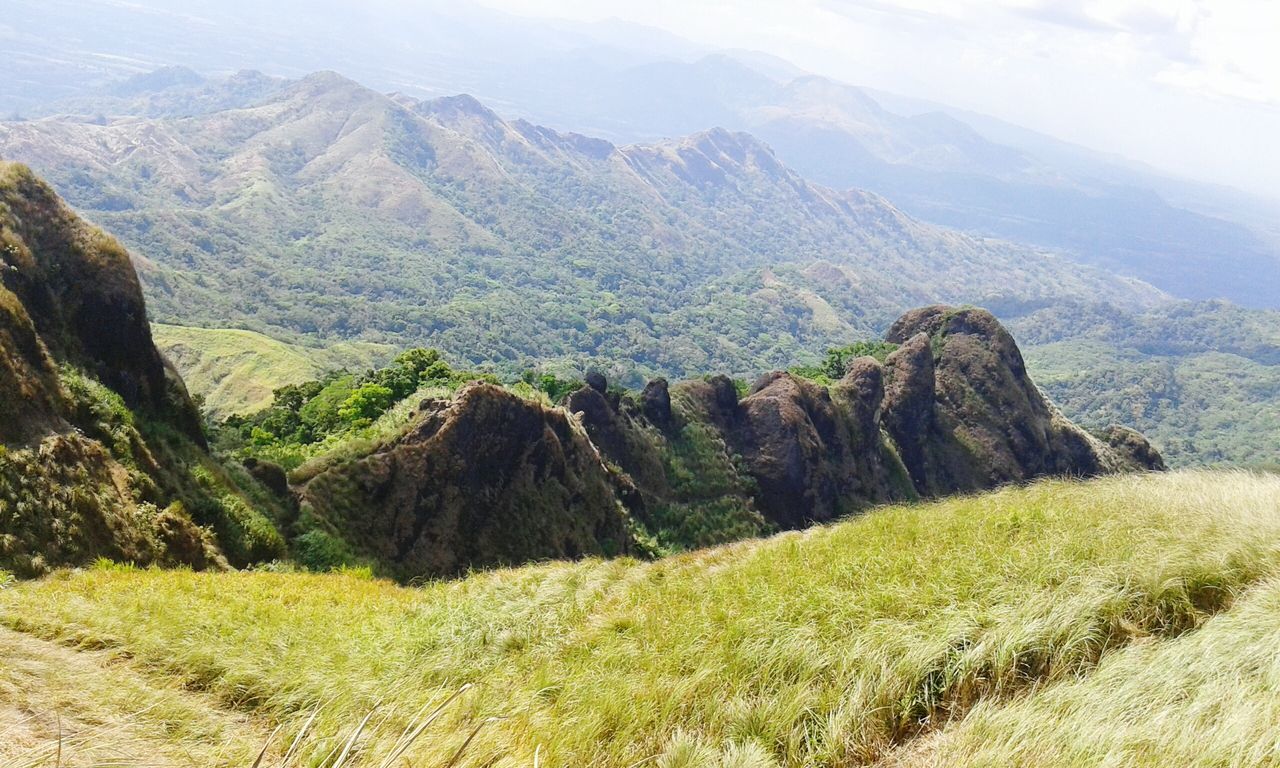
[(849, 644)]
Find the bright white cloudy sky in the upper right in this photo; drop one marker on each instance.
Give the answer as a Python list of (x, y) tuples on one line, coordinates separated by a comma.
[(1191, 86)]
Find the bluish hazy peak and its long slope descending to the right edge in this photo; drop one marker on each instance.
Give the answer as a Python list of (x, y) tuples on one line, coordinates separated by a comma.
[(939, 168)]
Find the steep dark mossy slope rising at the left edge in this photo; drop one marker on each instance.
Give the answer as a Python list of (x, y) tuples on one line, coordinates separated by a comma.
[(102, 452)]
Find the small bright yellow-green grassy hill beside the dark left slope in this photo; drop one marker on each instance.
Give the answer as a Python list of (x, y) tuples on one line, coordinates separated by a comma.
[(237, 371)]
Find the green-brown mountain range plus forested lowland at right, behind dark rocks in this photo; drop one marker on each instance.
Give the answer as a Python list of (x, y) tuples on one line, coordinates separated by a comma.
[(323, 213)]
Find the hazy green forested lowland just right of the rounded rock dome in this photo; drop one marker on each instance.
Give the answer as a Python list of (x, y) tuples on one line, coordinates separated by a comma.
[(1200, 381)]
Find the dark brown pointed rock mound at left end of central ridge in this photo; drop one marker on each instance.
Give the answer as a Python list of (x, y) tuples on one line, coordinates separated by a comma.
[(490, 479)]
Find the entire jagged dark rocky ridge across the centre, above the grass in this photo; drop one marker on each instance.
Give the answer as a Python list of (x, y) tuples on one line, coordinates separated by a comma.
[(492, 479)]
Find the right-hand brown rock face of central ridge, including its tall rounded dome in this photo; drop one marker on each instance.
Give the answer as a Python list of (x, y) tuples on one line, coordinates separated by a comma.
[(952, 410)]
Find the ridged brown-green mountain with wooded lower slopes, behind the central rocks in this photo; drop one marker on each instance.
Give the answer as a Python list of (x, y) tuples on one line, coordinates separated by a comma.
[(337, 213)]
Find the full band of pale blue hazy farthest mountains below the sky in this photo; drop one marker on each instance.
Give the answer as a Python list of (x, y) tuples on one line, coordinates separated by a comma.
[(630, 84)]
